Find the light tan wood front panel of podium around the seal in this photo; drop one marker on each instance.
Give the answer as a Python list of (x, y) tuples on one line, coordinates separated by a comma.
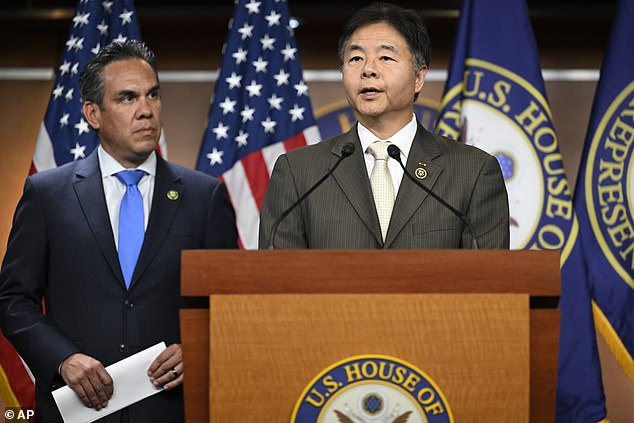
[(475, 347)]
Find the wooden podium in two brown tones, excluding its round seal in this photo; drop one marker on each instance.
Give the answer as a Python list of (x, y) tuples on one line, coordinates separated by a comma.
[(260, 325)]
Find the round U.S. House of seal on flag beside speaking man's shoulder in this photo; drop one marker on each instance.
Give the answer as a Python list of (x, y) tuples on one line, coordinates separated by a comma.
[(507, 116)]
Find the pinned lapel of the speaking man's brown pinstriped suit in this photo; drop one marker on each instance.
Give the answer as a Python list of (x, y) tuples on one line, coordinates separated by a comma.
[(421, 155)]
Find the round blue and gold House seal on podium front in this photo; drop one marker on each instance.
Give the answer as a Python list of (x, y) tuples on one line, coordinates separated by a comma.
[(372, 389)]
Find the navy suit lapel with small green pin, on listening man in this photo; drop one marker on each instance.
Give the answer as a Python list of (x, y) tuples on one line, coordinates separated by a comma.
[(167, 197)]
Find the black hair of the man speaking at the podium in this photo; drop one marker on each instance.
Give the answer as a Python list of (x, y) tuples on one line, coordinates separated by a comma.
[(409, 23)]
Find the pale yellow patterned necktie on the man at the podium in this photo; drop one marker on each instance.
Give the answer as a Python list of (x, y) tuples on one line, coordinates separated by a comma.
[(381, 182)]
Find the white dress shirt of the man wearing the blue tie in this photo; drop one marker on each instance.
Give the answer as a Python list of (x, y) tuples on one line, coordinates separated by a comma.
[(115, 189)]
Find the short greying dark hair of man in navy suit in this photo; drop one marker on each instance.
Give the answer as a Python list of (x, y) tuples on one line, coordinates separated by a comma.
[(91, 83)]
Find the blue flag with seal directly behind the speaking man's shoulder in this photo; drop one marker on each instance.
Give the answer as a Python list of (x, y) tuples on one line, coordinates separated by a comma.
[(495, 99)]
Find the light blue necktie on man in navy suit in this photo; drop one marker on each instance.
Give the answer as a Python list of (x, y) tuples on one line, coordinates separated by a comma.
[(131, 223)]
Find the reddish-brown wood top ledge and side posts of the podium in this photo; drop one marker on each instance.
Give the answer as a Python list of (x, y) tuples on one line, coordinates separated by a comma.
[(217, 273)]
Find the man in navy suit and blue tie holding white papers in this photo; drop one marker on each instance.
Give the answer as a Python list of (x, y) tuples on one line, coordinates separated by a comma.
[(63, 249)]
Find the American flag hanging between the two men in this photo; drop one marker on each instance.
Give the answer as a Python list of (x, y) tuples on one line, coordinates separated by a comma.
[(260, 109)]
